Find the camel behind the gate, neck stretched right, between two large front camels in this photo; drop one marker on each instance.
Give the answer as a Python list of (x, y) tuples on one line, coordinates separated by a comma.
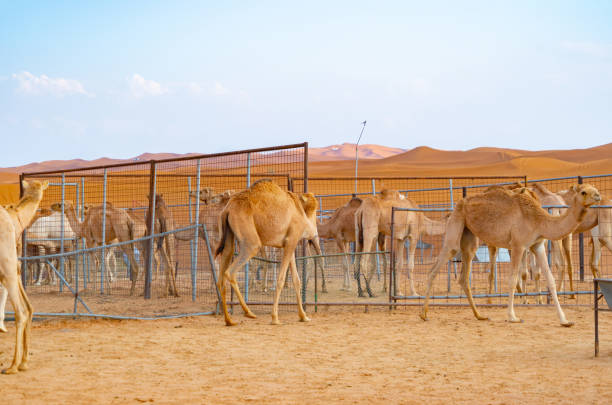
[(373, 217)]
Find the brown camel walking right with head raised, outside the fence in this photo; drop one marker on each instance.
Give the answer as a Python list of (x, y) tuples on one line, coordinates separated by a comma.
[(514, 221)]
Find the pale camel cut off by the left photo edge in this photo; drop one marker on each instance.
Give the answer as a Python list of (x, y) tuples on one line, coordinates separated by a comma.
[(12, 224)]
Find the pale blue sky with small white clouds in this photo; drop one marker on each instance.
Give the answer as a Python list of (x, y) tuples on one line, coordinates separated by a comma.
[(116, 79)]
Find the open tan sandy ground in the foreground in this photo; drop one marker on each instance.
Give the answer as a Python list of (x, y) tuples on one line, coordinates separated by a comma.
[(339, 357)]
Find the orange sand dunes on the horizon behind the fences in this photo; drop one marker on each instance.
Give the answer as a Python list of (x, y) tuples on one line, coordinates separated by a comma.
[(377, 160)]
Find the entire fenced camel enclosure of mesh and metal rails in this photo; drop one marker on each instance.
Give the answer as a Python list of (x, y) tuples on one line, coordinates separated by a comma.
[(73, 265)]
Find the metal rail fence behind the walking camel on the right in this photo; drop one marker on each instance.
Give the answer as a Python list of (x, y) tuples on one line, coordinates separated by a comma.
[(446, 290)]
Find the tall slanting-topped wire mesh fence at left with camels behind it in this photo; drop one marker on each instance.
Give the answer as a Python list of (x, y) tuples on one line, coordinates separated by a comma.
[(117, 234)]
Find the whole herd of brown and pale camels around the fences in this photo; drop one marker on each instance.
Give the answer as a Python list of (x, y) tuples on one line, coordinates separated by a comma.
[(265, 215)]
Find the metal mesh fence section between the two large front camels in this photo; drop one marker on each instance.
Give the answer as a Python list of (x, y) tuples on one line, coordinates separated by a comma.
[(438, 194)]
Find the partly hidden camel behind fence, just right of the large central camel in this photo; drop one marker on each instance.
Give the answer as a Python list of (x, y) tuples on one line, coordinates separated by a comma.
[(341, 228)]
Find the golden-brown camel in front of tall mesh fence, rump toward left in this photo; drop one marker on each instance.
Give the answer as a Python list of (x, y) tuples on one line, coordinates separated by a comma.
[(265, 215)]
